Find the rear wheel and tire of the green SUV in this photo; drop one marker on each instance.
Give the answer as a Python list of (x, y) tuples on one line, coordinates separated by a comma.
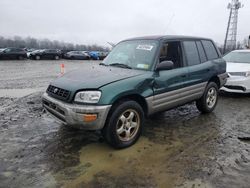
[(208, 101)]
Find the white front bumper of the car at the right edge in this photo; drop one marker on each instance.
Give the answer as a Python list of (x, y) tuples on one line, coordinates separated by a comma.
[(237, 84)]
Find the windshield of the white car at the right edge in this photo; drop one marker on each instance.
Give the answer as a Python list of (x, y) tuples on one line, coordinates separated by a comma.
[(238, 57)]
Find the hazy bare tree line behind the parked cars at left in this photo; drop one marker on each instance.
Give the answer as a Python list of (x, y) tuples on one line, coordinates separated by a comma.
[(30, 42)]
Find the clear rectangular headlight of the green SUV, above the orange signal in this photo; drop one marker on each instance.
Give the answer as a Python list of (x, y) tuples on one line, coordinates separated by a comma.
[(92, 97)]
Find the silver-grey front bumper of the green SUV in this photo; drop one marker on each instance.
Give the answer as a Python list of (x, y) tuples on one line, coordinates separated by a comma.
[(72, 114)]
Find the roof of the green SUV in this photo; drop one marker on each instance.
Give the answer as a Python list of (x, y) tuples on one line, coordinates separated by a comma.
[(165, 37)]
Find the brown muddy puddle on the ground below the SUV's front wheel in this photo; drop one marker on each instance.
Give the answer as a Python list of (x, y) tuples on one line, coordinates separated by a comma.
[(144, 165)]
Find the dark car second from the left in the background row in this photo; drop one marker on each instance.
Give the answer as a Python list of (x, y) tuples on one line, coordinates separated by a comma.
[(45, 54)]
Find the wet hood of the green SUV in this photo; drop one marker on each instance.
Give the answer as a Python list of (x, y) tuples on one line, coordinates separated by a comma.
[(93, 77)]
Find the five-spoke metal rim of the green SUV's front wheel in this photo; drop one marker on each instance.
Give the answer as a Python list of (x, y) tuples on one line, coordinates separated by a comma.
[(128, 125)]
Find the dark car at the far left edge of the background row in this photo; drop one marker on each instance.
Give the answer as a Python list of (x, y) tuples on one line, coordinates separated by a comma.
[(13, 53)]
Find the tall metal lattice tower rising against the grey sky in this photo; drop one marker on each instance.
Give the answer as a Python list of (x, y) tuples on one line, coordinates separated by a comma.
[(231, 34)]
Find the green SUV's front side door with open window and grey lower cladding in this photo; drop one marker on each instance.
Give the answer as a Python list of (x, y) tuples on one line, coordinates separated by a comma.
[(169, 83)]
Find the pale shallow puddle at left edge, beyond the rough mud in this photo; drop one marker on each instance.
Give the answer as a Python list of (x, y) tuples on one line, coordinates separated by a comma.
[(18, 93)]
